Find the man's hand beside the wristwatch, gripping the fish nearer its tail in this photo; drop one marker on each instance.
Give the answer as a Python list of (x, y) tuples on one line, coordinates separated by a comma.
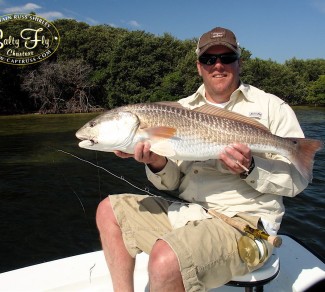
[(237, 158)]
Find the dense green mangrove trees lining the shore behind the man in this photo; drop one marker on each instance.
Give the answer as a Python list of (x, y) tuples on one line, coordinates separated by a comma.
[(100, 67)]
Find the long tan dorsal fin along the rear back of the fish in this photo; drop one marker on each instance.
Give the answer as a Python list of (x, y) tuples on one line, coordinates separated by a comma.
[(223, 113)]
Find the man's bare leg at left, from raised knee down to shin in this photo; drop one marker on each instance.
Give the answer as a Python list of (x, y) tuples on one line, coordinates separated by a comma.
[(114, 248)]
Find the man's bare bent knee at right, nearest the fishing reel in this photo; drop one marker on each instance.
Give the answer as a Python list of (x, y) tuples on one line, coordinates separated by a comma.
[(164, 271)]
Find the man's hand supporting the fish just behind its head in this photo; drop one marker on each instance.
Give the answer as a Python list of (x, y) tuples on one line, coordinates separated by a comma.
[(143, 154)]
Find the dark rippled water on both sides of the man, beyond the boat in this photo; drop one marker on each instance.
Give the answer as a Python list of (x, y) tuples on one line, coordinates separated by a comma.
[(48, 199)]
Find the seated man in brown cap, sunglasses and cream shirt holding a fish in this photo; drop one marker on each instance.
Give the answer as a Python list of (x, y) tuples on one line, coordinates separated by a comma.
[(189, 250)]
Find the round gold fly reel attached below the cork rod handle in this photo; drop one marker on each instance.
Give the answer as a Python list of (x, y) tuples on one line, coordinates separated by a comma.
[(252, 251)]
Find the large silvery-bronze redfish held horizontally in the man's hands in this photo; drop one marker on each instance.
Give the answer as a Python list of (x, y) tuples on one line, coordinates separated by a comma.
[(182, 134)]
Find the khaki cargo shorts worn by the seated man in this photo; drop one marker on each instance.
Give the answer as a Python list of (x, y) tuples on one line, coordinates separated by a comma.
[(207, 250)]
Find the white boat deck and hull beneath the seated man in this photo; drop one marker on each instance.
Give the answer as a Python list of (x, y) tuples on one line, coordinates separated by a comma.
[(299, 270)]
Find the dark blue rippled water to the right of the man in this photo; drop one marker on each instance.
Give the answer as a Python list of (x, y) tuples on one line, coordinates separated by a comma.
[(305, 213)]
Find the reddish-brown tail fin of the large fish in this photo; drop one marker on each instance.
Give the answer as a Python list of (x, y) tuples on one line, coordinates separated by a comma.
[(303, 157)]
